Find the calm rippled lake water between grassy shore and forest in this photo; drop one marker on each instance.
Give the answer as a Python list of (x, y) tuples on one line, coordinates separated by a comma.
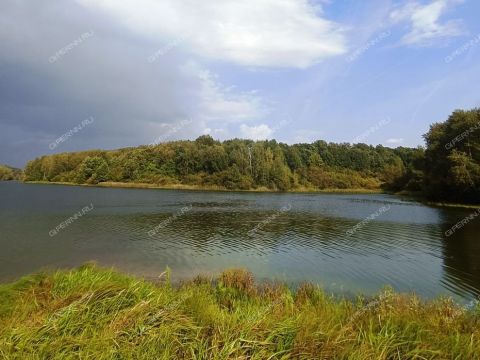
[(404, 246)]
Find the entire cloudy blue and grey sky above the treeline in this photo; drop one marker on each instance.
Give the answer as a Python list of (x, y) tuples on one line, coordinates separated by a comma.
[(106, 74)]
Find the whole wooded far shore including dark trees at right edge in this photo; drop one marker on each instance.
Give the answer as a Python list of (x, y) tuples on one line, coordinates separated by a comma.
[(447, 168)]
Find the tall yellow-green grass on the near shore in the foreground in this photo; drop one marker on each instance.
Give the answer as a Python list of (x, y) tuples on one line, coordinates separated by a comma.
[(101, 314)]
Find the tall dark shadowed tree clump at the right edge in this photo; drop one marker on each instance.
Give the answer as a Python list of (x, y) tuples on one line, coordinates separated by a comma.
[(452, 158)]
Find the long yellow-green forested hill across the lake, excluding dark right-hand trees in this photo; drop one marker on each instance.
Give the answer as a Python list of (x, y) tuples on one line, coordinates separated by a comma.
[(232, 164)]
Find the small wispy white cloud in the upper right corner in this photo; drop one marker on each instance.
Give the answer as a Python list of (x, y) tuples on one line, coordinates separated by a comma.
[(425, 26)]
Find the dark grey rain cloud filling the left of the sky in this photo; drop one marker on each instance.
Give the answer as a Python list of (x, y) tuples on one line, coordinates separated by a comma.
[(105, 75)]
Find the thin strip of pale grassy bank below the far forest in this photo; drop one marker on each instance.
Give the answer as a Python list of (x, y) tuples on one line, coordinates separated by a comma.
[(132, 185)]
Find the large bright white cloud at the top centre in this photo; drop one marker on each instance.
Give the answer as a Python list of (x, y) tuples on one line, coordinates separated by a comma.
[(263, 33)]
